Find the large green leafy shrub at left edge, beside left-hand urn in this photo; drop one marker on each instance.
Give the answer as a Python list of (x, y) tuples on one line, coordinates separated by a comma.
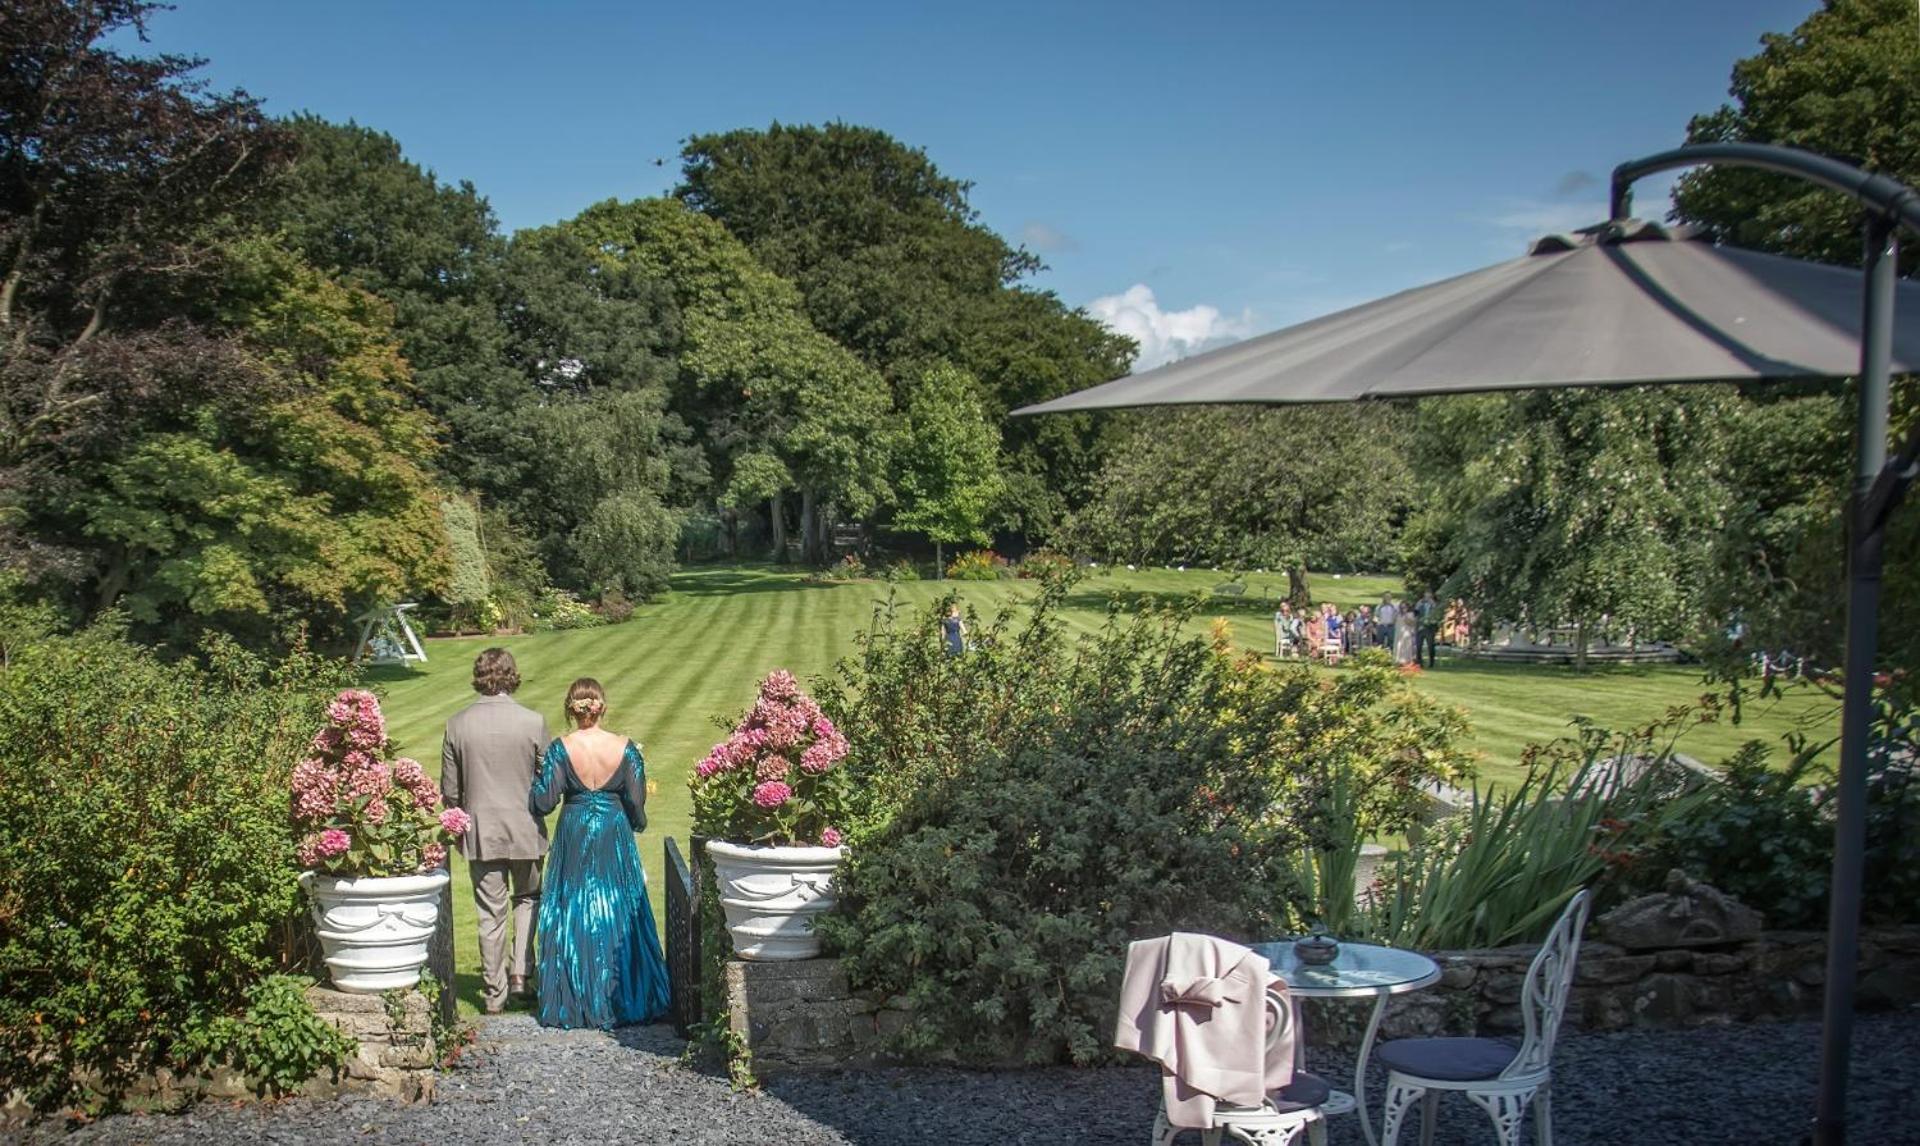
[(149, 882)]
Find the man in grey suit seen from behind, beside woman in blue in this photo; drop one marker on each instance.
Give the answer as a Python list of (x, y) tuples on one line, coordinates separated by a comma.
[(487, 767)]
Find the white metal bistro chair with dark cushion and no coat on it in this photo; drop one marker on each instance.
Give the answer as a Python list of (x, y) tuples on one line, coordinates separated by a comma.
[(1497, 1074)]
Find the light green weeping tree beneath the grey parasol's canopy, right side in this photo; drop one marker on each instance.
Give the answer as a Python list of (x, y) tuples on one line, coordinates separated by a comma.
[(1577, 508)]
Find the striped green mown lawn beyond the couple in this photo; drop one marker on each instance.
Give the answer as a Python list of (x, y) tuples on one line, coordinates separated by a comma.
[(698, 656)]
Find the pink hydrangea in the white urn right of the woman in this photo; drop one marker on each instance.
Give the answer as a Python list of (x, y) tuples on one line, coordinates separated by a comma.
[(779, 778)]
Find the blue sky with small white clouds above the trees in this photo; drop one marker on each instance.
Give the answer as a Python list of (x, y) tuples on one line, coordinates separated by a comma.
[(1191, 172)]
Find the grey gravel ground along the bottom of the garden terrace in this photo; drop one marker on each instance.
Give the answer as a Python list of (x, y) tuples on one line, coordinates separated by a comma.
[(1737, 1086)]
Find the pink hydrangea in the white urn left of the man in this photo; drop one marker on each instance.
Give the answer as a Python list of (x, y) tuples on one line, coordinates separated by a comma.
[(362, 815)]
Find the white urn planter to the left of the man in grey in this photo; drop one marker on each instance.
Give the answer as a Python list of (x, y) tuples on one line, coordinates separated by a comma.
[(375, 930)]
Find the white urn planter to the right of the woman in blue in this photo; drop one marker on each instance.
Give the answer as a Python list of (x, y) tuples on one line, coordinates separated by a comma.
[(771, 897)]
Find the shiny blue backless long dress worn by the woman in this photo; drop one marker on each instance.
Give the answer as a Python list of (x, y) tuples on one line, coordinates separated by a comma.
[(600, 957)]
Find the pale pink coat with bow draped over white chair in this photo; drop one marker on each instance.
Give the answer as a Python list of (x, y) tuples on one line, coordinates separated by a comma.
[(1199, 1007)]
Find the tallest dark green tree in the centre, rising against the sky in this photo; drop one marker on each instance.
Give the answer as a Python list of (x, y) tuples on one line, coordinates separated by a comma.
[(896, 264)]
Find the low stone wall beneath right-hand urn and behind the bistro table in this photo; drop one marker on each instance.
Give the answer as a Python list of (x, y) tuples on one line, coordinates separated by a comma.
[(805, 1016)]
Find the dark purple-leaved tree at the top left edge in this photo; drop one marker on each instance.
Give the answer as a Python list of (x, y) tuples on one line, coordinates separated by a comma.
[(114, 170)]
